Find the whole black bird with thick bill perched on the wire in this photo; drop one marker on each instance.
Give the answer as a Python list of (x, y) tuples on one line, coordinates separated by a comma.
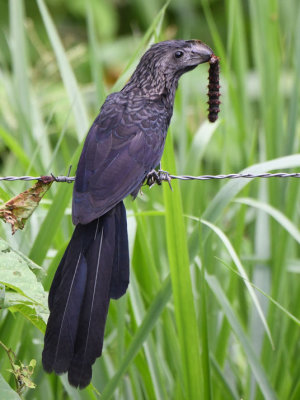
[(124, 144)]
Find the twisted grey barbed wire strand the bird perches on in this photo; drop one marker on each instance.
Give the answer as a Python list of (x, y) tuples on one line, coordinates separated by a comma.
[(161, 176)]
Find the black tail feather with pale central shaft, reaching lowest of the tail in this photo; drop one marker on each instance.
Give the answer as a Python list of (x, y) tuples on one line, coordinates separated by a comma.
[(89, 340)]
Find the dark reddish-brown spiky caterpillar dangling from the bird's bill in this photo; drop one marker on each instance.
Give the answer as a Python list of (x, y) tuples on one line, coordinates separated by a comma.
[(213, 89)]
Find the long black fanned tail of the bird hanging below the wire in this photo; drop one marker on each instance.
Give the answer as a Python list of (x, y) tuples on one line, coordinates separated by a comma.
[(94, 269)]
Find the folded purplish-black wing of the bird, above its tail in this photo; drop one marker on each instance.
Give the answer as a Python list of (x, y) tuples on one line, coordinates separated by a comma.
[(124, 143)]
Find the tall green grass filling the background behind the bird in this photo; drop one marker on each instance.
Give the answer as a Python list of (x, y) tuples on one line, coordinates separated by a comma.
[(212, 311)]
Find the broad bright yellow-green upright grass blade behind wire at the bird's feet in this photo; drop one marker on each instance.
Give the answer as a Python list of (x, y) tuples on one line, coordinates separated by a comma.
[(181, 281)]
